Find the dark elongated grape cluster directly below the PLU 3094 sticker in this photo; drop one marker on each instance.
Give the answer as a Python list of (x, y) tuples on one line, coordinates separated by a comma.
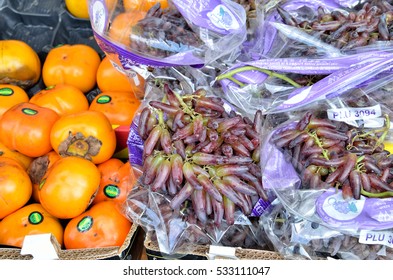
[(332, 154)]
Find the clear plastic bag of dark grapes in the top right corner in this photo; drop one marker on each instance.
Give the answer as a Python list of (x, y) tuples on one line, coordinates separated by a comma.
[(325, 28)]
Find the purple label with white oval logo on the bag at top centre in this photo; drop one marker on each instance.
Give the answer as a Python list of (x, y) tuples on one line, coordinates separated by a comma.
[(212, 15)]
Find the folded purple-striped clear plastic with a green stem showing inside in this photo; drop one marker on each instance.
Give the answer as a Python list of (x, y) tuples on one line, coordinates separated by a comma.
[(283, 84)]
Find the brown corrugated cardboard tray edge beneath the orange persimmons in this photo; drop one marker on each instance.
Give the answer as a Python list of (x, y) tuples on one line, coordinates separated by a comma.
[(129, 250)]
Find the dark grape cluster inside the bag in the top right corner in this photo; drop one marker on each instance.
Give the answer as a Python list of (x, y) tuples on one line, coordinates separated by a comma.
[(371, 23)]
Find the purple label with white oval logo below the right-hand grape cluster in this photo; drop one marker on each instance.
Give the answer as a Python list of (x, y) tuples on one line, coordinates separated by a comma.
[(365, 213)]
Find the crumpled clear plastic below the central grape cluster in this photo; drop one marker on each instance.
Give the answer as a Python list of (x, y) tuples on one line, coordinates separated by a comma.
[(176, 230)]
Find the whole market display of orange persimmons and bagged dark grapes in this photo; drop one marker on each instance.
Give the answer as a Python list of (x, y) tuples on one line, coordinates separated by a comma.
[(135, 124)]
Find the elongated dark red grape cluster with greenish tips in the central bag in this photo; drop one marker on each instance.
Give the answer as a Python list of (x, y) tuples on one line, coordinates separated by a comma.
[(196, 151)]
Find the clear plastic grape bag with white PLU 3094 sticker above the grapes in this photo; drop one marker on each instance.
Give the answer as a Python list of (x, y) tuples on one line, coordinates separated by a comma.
[(329, 159)]
